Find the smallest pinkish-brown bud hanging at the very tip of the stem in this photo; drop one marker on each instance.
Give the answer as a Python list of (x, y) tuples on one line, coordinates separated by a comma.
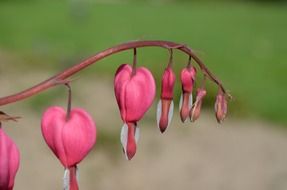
[(220, 107)]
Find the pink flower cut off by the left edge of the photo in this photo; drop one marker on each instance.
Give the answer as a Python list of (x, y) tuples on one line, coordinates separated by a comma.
[(9, 161)]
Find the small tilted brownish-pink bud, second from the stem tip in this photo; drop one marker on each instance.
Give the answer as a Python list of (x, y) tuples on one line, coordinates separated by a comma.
[(195, 111)]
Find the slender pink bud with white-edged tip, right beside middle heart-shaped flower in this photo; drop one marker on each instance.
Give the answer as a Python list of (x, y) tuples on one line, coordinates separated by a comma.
[(165, 105)]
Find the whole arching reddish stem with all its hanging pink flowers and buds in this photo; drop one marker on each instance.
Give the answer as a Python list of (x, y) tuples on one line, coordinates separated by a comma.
[(71, 133)]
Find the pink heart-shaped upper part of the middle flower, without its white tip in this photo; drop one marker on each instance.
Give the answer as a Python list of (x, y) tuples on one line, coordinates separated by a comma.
[(134, 92)]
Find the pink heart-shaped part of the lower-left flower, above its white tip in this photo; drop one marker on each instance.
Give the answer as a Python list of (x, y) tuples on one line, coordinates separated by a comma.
[(70, 140)]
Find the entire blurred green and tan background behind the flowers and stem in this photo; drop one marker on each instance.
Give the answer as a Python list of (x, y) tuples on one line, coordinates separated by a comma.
[(242, 42)]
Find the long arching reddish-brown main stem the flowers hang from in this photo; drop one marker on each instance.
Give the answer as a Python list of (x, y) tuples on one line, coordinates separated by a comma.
[(53, 81)]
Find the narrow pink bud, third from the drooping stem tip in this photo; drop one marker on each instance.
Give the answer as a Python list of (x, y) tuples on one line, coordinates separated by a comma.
[(187, 77)]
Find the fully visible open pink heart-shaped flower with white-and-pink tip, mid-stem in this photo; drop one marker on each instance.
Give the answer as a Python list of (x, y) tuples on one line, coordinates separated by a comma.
[(135, 92)]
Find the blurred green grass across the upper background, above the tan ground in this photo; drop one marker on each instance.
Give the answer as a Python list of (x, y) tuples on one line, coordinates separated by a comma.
[(244, 44)]
